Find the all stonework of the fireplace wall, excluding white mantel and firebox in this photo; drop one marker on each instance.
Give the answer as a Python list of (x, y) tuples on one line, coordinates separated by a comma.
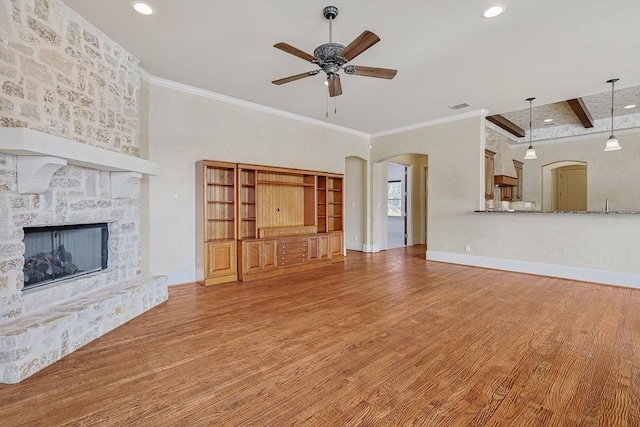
[(60, 75)]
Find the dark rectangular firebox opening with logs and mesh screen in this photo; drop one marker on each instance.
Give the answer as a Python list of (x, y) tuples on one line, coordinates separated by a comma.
[(60, 252)]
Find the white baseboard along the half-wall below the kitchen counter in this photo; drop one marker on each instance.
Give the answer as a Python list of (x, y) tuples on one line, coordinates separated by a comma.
[(562, 271)]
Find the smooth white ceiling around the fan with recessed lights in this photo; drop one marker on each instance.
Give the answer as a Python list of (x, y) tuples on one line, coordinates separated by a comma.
[(445, 52)]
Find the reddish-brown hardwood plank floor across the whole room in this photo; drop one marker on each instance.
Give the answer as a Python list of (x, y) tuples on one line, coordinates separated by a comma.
[(384, 339)]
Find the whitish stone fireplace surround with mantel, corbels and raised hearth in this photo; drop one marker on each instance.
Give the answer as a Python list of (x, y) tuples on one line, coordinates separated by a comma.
[(77, 184)]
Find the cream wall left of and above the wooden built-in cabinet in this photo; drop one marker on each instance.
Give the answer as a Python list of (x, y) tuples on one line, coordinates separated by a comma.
[(185, 127)]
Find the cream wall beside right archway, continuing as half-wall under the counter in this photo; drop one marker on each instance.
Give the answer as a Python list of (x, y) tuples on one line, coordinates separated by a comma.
[(601, 248)]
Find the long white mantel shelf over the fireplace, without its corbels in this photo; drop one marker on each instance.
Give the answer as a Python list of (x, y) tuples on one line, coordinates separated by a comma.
[(29, 142)]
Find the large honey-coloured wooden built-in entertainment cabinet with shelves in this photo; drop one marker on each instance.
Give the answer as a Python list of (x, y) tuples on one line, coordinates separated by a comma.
[(265, 221)]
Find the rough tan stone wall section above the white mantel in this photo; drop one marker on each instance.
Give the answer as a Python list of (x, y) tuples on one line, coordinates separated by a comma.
[(61, 76)]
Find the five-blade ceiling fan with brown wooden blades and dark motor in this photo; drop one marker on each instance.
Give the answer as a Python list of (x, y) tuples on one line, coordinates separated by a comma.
[(333, 57)]
